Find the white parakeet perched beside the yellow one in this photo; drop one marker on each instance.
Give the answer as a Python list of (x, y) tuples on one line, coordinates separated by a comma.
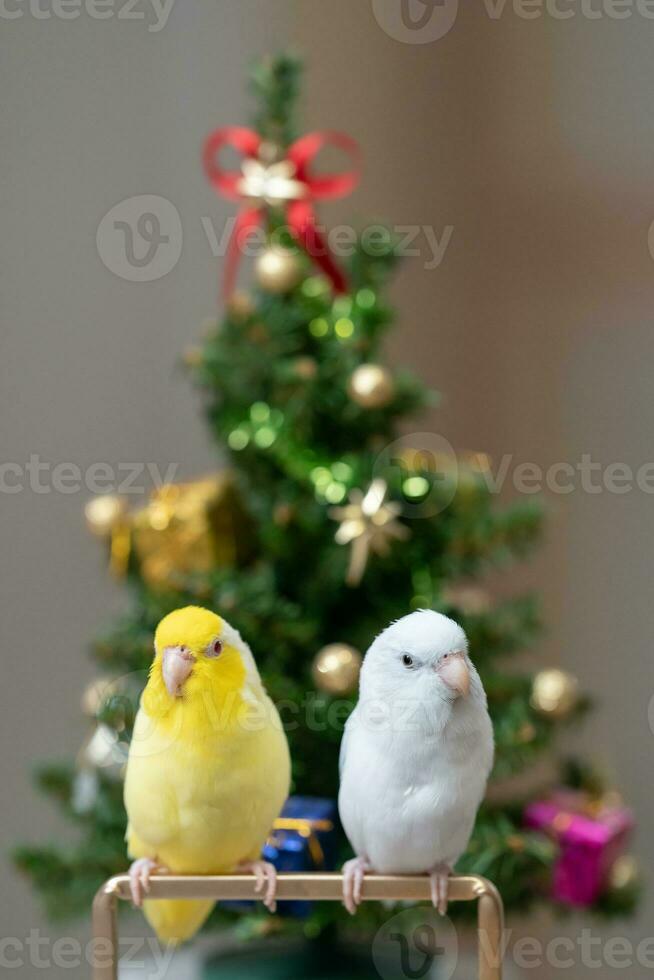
[(415, 756)]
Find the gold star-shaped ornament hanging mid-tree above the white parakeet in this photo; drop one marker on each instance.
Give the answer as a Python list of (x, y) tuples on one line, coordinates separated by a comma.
[(369, 523)]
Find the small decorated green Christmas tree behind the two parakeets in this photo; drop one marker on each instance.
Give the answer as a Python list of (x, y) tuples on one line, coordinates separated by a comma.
[(324, 528)]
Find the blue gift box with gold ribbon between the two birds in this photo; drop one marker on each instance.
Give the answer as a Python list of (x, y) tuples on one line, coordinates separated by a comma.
[(303, 838)]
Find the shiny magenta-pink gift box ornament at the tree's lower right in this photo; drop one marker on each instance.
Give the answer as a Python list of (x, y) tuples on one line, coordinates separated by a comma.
[(591, 834)]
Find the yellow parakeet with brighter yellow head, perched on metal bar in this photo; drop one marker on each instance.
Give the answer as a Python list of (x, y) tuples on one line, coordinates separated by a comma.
[(208, 769)]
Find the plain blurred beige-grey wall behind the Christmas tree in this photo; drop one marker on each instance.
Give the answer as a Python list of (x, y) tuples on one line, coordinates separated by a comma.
[(533, 138)]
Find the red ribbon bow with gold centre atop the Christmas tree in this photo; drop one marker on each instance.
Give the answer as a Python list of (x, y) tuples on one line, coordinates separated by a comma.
[(286, 182)]
